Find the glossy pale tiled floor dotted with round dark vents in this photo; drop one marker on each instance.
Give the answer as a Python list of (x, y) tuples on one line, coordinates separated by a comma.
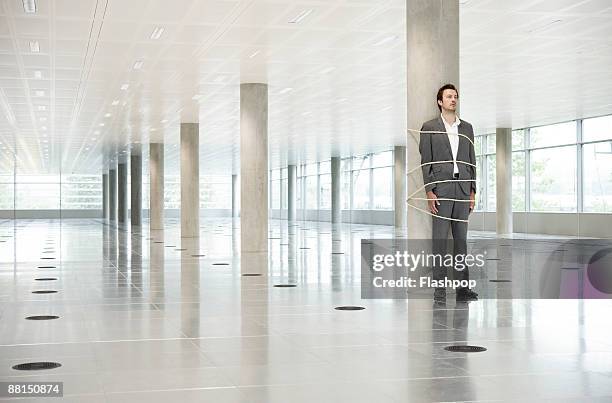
[(141, 321)]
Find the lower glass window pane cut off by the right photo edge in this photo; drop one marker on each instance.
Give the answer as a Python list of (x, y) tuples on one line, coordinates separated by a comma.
[(597, 174)]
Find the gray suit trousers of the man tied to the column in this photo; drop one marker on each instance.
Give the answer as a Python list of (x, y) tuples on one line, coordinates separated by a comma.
[(440, 228)]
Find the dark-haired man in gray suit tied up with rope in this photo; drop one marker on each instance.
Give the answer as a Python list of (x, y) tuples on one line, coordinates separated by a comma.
[(444, 154)]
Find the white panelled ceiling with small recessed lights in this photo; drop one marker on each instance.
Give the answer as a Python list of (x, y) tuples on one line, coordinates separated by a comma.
[(523, 62)]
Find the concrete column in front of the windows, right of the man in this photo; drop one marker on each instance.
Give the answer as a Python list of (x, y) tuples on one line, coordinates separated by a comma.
[(503, 172)]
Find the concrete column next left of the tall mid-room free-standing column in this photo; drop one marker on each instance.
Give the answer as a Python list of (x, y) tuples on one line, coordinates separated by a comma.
[(190, 180)]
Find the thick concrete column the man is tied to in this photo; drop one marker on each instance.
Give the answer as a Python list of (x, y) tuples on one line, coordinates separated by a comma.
[(432, 41)]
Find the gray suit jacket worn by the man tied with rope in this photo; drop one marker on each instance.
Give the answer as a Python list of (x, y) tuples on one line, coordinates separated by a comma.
[(436, 147)]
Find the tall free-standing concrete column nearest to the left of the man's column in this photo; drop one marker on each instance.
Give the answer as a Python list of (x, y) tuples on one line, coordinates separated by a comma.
[(254, 168)]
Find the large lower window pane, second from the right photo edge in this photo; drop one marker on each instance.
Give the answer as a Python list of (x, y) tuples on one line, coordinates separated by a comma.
[(553, 179)]
